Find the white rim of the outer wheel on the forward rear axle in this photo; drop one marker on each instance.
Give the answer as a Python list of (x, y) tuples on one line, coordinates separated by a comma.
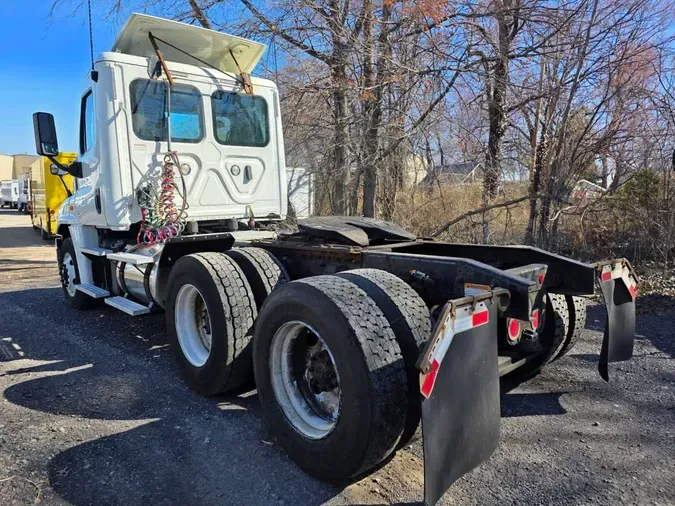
[(193, 325)]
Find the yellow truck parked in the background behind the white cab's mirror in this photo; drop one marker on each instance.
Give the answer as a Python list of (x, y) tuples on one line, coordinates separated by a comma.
[(47, 192)]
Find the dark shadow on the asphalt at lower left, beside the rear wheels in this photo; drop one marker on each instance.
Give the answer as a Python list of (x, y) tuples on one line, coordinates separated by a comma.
[(186, 450)]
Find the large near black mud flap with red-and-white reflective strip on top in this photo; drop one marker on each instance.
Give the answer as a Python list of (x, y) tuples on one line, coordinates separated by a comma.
[(460, 396)]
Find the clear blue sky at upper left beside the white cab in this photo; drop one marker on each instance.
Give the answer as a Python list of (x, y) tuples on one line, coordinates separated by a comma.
[(43, 63)]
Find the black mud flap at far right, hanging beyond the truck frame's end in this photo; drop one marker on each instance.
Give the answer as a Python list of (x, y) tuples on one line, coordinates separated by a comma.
[(619, 288)]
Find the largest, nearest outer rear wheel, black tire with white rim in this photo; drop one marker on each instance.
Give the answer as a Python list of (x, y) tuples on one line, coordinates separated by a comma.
[(368, 368)]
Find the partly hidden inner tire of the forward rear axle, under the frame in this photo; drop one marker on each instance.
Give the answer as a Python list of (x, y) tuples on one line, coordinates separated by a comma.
[(263, 271)]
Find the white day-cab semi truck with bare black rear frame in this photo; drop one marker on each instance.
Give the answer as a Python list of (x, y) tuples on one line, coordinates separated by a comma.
[(355, 331)]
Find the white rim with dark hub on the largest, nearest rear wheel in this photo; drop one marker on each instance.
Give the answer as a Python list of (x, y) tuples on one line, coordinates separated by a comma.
[(305, 380)]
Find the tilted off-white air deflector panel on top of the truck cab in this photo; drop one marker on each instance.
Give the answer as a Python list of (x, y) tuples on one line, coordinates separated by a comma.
[(207, 45)]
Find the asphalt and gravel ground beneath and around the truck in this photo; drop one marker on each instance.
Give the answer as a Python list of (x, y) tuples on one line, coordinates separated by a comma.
[(93, 412)]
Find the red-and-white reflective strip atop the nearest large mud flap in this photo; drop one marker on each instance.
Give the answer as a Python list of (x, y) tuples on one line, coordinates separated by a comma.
[(464, 320)]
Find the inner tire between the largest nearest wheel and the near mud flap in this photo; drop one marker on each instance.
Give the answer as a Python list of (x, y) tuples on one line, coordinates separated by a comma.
[(410, 320)]
